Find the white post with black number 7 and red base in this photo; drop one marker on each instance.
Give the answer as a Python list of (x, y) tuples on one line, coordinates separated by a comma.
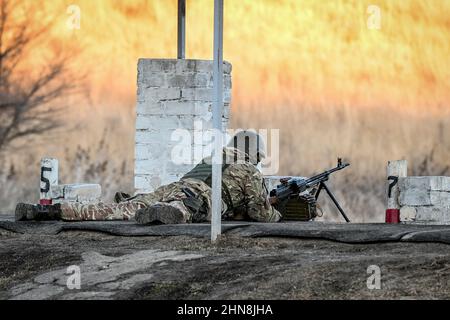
[(395, 170)]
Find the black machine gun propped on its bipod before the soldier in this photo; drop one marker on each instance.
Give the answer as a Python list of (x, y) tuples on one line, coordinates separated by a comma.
[(295, 186)]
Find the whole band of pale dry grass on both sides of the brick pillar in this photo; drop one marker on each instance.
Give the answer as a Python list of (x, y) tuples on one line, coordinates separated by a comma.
[(310, 141)]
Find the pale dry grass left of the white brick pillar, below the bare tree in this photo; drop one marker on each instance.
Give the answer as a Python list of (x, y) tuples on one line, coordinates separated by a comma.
[(98, 149)]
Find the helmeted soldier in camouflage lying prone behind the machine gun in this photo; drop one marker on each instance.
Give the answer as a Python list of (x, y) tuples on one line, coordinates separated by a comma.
[(188, 200)]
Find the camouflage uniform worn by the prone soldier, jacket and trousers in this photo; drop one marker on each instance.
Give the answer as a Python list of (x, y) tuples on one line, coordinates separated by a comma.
[(246, 196)]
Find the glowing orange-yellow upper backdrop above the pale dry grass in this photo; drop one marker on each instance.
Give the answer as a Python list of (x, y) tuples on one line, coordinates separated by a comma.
[(285, 52)]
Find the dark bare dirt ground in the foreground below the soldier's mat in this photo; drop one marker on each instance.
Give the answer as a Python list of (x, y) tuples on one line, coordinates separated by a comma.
[(181, 267)]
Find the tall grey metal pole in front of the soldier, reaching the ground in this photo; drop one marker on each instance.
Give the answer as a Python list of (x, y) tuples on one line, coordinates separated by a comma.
[(216, 218)]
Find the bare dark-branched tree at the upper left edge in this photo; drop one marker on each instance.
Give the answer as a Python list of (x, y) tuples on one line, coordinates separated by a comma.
[(29, 104)]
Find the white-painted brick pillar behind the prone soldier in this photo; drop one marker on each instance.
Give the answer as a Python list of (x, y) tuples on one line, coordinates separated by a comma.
[(174, 108)]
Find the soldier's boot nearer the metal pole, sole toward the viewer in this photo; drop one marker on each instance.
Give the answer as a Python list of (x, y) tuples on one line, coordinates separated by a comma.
[(160, 213)]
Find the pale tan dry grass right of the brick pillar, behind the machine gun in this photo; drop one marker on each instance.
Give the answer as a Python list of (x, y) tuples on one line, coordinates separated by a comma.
[(311, 140)]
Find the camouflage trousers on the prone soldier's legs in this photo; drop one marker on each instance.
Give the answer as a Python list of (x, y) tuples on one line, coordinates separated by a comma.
[(172, 194)]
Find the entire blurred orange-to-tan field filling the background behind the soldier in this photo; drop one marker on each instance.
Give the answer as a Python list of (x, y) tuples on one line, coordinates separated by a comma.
[(311, 68)]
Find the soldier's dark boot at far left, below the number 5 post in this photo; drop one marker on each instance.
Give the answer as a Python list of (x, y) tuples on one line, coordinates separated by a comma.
[(37, 212)]
